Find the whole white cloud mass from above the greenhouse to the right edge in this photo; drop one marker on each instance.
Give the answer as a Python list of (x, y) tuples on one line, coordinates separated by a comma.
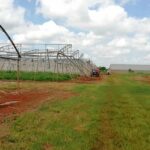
[(110, 32)]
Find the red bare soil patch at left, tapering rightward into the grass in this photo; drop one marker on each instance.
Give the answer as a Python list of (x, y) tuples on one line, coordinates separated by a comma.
[(27, 100)]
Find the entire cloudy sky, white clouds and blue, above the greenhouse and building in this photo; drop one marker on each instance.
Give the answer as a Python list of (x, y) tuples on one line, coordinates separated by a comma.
[(106, 31)]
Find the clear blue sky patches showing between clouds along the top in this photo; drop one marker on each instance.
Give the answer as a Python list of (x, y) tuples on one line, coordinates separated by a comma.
[(137, 8)]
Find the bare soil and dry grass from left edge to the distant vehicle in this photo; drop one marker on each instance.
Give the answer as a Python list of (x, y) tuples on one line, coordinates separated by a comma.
[(31, 94)]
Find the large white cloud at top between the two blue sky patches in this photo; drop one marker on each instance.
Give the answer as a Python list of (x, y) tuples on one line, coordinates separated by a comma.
[(107, 18)]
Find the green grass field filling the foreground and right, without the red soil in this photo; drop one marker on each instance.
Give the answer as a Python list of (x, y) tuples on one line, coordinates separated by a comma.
[(113, 114)]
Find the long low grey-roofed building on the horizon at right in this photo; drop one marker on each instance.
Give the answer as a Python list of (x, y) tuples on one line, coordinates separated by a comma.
[(129, 67)]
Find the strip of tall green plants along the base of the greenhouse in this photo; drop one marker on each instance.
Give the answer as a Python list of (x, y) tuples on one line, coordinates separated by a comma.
[(38, 76)]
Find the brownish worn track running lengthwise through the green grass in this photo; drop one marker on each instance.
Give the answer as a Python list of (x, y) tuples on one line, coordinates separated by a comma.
[(106, 133)]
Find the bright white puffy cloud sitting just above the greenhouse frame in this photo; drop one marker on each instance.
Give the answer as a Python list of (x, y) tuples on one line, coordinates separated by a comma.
[(42, 33)]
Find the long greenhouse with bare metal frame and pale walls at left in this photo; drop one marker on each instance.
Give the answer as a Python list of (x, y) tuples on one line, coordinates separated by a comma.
[(57, 58)]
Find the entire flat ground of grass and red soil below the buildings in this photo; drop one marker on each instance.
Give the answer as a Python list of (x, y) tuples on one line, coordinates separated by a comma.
[(108, 113)]
